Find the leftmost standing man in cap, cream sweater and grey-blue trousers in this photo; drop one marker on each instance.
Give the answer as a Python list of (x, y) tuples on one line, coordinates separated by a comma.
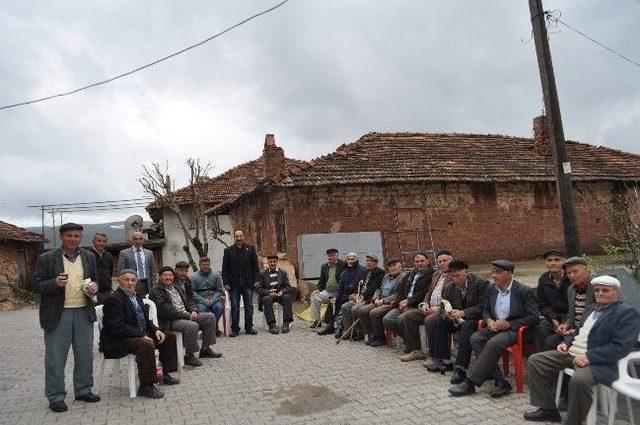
[(65, 278)]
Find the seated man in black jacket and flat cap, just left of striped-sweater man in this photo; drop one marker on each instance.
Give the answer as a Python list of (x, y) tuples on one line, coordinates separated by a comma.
[(551, 294)]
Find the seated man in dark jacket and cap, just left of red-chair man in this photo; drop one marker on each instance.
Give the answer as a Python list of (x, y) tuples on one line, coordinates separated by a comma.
[(467, 295)]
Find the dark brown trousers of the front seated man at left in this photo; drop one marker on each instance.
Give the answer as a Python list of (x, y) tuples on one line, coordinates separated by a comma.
[(144, 350)]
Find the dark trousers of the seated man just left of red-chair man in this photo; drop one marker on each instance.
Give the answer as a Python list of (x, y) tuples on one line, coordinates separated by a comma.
[(443, 328)]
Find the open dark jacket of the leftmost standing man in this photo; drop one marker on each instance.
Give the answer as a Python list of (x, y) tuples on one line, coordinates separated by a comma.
[(48, 267)]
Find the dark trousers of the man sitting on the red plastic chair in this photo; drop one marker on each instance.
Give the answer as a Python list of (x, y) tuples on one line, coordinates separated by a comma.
[(488, 346)]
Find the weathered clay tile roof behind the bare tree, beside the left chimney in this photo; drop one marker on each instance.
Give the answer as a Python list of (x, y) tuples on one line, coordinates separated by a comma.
[(227, 186)]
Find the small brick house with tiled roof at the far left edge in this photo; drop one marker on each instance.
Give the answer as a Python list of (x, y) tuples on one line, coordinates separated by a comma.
[(19, 249)]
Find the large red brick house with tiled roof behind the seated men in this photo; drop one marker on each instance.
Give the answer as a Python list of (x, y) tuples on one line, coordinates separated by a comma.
[(482, 196)]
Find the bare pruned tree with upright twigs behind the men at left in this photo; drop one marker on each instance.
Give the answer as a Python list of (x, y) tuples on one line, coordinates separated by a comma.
[(153, 183)]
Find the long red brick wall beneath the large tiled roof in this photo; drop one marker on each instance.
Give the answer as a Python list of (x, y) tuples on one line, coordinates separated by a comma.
[(479, 222)]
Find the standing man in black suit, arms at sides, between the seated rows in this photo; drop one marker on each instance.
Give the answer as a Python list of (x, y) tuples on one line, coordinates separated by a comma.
[(240, 275)]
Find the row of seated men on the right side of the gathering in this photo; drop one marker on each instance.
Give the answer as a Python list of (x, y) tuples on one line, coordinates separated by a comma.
[(575, 321)]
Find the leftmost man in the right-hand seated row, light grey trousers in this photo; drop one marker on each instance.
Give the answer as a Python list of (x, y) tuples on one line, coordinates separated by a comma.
[(327, 289)]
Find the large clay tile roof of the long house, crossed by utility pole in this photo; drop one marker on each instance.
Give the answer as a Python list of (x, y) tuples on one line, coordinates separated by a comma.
[(418, 157)]
